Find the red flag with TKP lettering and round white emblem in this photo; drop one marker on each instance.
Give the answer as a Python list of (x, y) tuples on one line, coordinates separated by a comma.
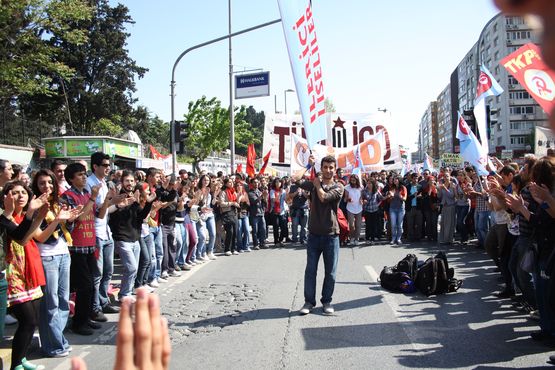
[(527, 66)]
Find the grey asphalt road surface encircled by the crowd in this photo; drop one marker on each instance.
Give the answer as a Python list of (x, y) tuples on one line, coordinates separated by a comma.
[(240, 312)]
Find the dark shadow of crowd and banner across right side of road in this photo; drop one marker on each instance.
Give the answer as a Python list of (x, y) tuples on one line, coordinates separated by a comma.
[(463, 329)]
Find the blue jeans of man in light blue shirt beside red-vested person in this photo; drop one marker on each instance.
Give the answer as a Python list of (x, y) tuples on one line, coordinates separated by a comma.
[(103, 275)]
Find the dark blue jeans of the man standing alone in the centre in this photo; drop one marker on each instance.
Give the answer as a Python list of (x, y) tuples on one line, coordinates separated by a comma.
[(328, 246)]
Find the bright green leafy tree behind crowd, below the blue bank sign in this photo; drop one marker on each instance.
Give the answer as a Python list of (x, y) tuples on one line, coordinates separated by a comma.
[(209, 129)]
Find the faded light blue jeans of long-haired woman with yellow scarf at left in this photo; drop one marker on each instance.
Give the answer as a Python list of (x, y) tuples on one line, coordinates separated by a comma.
[(54, 306)]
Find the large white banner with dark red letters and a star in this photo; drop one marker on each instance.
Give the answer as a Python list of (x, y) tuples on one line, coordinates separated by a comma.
[(344, 131)]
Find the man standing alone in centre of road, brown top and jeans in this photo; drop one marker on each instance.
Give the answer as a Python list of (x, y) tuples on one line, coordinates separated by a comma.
[(323, 228)]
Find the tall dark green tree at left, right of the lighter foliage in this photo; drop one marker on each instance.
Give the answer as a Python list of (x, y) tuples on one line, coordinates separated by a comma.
[(104, 78)]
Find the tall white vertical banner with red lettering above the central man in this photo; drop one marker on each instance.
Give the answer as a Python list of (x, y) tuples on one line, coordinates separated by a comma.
[(304, 54)]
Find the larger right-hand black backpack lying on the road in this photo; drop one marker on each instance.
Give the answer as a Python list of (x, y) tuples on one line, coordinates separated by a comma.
[(435, 276)]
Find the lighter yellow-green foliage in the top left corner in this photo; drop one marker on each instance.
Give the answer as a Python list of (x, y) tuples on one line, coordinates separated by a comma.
[(28, 59)]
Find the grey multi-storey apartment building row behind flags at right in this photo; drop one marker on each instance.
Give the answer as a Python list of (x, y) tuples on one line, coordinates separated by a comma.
[(514, 114)]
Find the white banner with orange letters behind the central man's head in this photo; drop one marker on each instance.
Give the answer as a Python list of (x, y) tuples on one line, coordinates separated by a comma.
[(366, 156)]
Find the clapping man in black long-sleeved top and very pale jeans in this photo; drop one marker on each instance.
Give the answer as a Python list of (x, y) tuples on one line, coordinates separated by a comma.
[(126, 219)]
